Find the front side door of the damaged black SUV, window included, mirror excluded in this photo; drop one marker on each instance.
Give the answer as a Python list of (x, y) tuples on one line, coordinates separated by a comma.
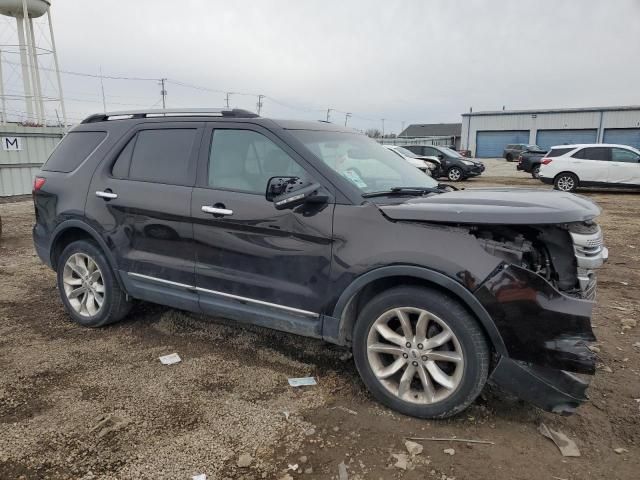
[(247, 251)]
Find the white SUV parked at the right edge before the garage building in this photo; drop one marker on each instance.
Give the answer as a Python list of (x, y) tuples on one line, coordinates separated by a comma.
[(568, 167)]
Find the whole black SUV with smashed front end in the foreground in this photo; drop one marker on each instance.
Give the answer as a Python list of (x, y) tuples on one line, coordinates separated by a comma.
[(313, 229)]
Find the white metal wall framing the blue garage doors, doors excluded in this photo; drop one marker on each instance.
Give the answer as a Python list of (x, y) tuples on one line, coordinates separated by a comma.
[(534, 121)]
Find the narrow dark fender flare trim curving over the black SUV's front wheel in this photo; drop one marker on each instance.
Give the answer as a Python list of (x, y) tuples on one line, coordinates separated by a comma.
[(444, 281)]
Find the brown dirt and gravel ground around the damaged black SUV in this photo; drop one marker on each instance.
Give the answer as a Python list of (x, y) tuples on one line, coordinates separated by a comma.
[(80, 403)]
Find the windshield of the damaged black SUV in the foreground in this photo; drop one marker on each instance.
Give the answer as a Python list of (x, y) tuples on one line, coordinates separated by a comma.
[(365, 163)]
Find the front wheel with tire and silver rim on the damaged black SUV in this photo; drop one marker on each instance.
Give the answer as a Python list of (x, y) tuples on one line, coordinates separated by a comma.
[(466, 376)]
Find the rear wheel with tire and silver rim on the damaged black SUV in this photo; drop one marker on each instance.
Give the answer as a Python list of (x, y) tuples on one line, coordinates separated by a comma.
[(83, 268)]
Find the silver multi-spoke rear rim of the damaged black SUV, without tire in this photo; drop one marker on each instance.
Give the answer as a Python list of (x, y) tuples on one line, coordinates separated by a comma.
[(83, 284)]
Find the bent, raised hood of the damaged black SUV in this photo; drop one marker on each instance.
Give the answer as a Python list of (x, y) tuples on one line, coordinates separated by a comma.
[(496, 206)]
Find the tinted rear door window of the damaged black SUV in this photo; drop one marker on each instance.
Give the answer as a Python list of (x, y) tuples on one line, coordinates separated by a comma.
[(162, 156)]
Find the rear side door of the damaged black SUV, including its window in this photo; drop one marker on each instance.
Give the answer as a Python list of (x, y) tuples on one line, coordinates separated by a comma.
[(141, 200)]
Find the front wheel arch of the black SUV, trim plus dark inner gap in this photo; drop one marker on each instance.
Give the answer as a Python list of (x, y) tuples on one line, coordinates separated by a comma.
[(371, 283)]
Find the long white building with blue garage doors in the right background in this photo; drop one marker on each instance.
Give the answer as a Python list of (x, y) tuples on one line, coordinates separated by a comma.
[(487, 133)]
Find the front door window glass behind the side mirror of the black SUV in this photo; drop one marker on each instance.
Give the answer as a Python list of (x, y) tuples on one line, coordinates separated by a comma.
[(244, 160)]
